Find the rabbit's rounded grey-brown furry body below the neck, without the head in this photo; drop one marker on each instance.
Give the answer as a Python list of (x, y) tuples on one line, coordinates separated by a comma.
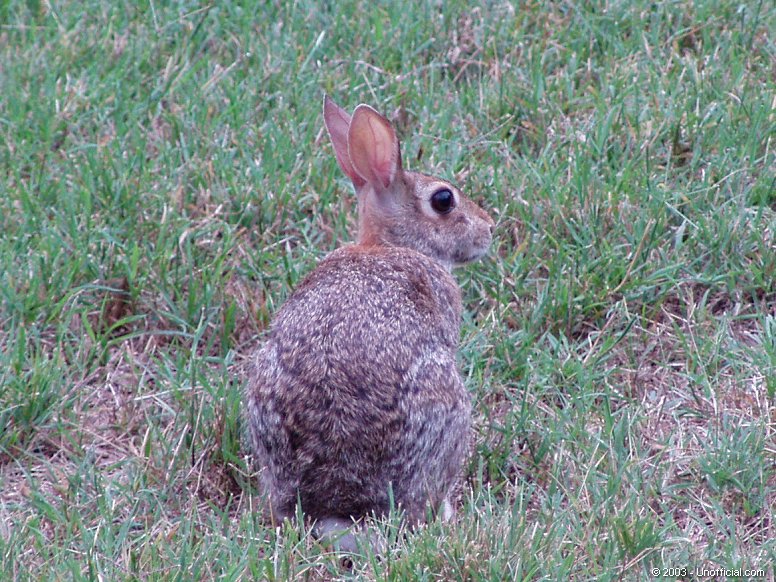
[(357, 390)]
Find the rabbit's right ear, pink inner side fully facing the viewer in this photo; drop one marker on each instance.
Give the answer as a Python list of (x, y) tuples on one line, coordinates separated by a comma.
[(373, 147)]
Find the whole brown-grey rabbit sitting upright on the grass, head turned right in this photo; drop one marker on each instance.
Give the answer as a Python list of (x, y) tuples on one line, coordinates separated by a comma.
[(355, 401)]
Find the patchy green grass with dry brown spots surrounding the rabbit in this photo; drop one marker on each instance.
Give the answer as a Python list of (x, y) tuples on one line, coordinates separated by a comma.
[(166, 183)]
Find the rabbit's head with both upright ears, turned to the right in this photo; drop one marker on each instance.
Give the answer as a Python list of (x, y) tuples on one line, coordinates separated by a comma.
[(400, 208)]
